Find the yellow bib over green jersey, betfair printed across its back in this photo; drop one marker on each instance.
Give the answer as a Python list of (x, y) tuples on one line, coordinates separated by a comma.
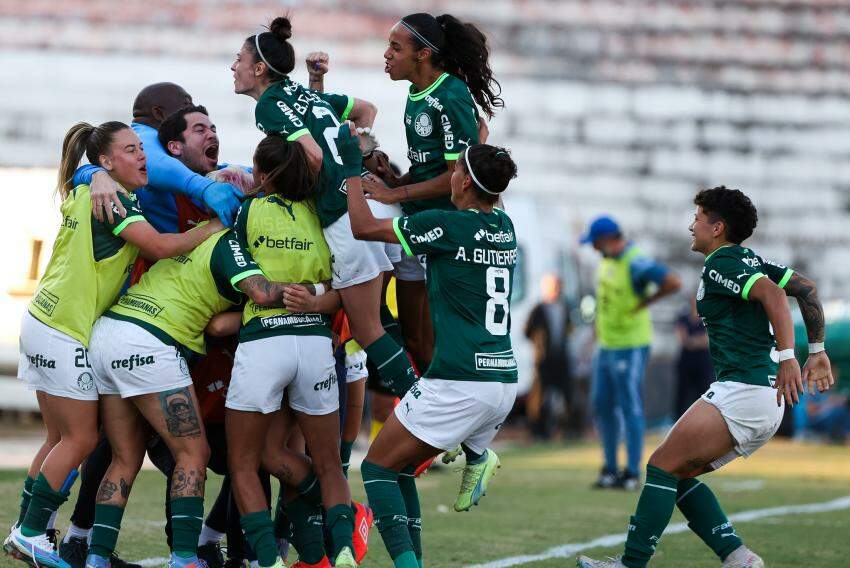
[(286, 240)]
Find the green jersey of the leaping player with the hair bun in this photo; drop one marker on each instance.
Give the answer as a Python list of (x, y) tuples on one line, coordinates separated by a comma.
[(289, 109)]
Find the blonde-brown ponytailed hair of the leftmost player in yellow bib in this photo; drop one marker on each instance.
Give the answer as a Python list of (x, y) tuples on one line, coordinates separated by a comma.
[(83, 138)]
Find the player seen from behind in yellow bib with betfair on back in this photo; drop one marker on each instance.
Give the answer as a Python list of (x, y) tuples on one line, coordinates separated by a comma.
[(281, 350)]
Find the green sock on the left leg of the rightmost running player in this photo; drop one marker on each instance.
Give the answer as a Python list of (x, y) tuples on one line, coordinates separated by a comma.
[(655, 507)]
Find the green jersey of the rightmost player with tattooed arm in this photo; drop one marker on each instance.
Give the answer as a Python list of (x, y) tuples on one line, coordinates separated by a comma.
[(741, 340)]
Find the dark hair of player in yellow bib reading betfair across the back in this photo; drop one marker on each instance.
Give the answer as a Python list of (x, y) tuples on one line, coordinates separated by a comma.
[(286, 167)]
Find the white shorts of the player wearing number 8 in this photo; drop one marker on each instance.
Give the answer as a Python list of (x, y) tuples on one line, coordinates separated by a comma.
[(445, 413)]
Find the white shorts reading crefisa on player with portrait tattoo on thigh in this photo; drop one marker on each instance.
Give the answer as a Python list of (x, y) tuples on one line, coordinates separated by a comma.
[(128, 360)]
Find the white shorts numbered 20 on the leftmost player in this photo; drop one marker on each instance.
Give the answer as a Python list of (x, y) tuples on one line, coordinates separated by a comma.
[(53, 362)]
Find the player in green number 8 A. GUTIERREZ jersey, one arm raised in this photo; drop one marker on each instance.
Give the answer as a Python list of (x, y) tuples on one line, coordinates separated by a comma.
[(470, 386)]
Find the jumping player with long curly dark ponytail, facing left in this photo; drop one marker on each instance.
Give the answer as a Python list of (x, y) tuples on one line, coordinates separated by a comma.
[(446, 62)]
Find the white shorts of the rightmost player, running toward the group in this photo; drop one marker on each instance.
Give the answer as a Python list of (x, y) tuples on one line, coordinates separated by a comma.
[(750, 412)]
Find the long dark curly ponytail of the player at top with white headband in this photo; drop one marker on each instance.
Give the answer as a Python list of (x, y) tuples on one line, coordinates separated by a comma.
[(459, 49)]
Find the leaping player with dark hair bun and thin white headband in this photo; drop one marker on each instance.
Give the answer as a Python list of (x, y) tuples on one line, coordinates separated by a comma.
[(311, 118)]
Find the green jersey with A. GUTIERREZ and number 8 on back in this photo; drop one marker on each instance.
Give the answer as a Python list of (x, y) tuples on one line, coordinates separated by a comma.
[(471, 260)]
